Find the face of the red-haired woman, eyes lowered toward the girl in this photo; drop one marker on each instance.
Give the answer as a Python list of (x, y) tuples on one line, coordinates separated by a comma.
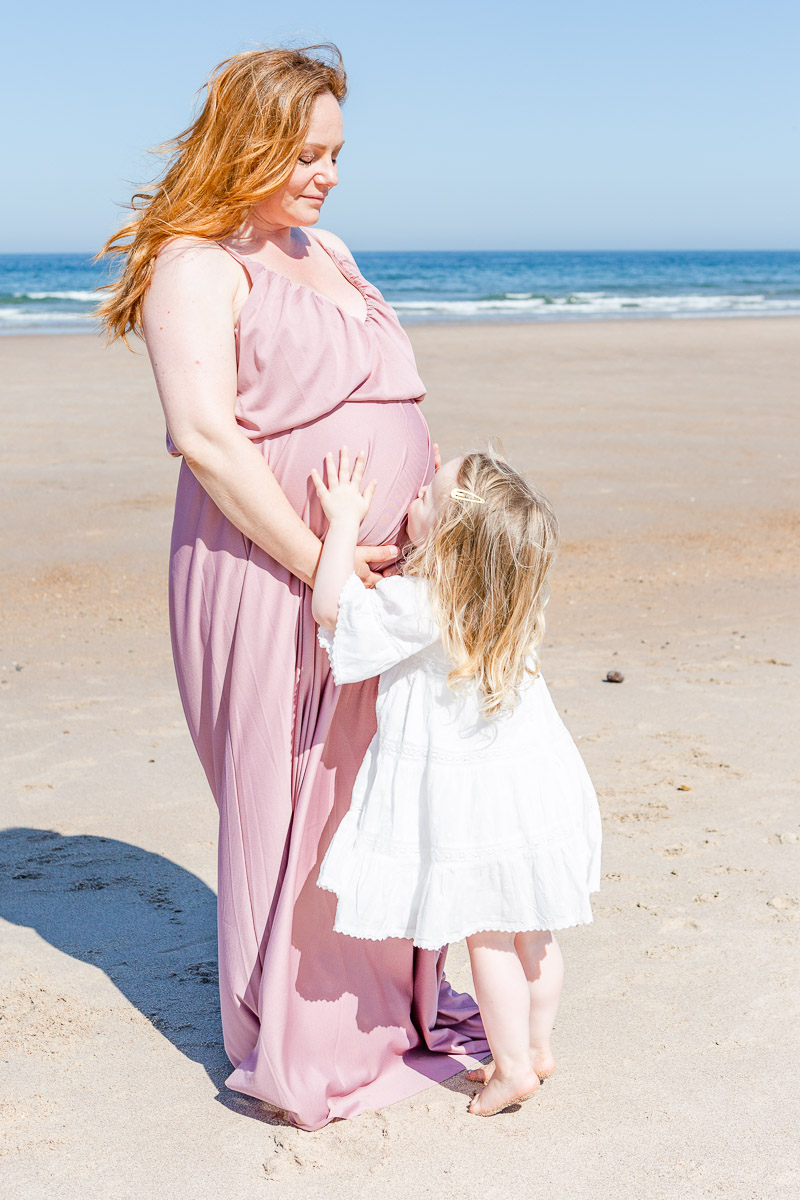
[(300, 201)]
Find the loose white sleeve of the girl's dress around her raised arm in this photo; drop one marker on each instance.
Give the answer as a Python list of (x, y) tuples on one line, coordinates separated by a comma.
[(378, 628)]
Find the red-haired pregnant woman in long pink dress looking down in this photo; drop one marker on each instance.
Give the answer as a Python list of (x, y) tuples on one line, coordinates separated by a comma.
[(269, 350)]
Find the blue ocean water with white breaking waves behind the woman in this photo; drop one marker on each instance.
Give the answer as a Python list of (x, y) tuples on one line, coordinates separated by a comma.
[(56, 293)]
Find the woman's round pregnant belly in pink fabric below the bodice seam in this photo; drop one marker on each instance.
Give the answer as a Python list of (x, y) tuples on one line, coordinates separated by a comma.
[(396, 440)]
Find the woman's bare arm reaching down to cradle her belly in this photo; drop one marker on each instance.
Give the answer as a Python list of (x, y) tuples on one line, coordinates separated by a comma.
[(189, 314)]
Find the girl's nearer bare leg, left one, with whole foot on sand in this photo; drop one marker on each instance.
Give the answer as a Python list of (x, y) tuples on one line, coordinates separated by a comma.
[(504, 998)]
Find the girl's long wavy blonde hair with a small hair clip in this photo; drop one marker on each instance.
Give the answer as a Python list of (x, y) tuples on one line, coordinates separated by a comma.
[(486, 562)]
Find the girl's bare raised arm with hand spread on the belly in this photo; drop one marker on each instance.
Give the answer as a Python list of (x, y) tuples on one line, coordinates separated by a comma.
[(346, 508)]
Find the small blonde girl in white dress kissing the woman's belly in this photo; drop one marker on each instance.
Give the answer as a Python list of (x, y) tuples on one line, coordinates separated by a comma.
[(473, 814)]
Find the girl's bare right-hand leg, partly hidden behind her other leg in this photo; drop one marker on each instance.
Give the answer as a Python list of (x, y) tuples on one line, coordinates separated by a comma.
[(542, 959)]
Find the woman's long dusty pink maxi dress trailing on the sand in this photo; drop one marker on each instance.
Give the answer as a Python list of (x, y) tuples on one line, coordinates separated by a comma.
[(317, 1024)]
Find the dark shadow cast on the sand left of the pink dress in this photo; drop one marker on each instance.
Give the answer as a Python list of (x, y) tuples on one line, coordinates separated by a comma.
[(145, 921)]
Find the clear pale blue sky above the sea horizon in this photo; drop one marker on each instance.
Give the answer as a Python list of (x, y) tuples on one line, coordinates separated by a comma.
[(512, 124)]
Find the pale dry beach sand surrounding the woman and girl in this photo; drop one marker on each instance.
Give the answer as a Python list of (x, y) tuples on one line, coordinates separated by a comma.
[(671, 452)]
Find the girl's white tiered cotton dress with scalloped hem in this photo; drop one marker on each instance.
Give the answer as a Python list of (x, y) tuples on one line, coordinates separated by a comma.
[(458, 825)]
